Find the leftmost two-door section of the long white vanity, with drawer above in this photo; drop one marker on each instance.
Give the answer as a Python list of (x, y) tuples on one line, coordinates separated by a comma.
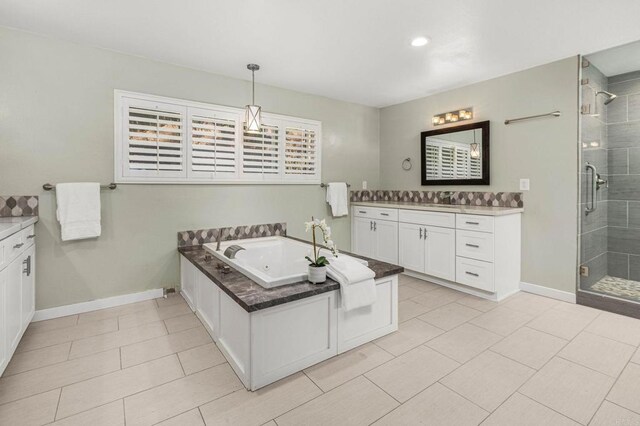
[(374, 233)]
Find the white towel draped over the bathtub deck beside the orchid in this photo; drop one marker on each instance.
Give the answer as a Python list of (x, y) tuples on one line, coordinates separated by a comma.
[(357, 284)]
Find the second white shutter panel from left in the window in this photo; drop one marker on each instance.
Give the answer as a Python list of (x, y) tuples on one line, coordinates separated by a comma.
[(213, 144)]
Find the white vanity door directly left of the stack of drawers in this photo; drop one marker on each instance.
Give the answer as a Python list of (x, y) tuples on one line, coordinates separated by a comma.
[(440, 252)]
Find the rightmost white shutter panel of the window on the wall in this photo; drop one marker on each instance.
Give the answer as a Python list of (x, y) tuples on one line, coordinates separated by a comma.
[(300, 153)]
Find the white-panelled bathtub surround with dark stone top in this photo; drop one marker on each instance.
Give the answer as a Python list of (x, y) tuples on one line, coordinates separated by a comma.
[(270, 333)]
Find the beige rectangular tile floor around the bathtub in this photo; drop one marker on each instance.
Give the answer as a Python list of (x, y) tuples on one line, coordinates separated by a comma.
[(456, 359)]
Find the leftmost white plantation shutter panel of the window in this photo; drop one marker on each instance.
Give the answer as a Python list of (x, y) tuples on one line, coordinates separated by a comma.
[(155, 139)]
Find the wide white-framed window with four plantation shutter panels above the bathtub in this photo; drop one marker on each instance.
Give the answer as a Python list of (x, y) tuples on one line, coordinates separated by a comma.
[(165, 140)]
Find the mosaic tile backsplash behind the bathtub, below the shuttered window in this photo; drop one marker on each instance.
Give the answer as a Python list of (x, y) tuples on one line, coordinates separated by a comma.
[(203, 236)]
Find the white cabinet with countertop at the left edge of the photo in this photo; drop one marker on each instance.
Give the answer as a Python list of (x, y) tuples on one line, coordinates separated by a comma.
[(17, 282)]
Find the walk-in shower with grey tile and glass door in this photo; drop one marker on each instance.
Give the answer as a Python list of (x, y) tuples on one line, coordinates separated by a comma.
[(609, 264)]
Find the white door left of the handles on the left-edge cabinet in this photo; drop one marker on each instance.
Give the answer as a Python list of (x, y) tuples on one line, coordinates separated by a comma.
[(13, 318)]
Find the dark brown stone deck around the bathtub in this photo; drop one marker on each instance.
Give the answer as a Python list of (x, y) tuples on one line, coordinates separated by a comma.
[(252, 297)]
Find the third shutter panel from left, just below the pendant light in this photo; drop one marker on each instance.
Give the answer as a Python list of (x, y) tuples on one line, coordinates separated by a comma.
[(260, 151)]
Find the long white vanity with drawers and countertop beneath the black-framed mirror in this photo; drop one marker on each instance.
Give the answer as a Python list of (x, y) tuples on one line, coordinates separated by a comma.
[(468, 248)]
